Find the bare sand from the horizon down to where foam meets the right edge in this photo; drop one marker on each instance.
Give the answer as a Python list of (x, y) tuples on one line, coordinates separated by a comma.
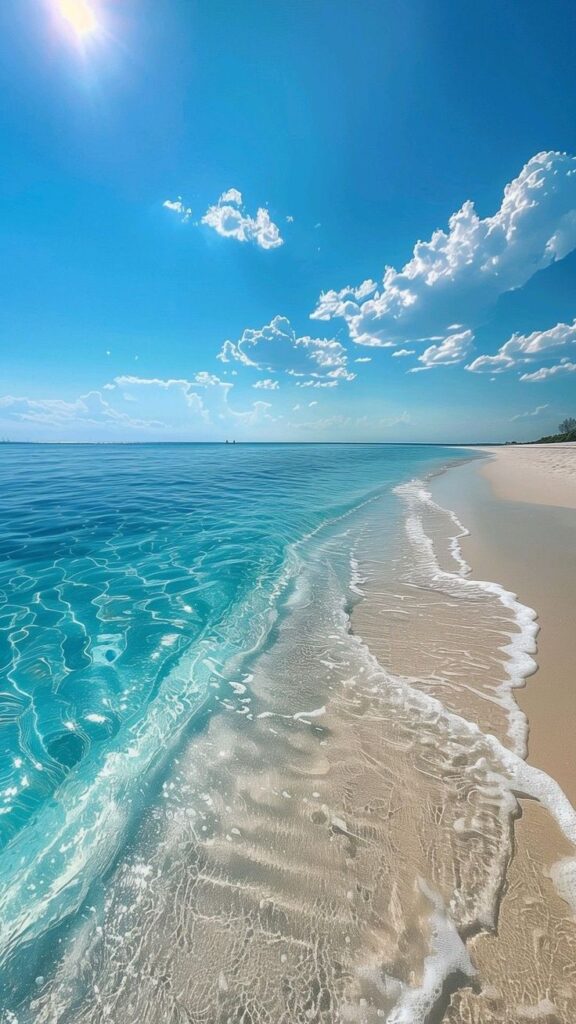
[(529, 548)]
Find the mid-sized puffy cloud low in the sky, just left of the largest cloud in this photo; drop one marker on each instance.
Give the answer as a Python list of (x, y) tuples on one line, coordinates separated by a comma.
[(277, 349)]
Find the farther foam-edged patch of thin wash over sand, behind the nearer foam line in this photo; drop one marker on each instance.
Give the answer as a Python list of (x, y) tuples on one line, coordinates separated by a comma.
[(467, 644)]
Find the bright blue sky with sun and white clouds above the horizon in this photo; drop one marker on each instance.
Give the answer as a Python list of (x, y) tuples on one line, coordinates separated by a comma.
[(289, 221)]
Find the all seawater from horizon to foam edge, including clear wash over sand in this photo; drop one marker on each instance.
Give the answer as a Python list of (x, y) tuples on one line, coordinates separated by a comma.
[(179, 686)]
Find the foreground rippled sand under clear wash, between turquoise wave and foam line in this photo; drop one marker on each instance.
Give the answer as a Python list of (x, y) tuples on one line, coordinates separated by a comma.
[(320, 854)]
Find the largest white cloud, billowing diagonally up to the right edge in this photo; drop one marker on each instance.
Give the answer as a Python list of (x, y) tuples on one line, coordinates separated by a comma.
[(459, 275)]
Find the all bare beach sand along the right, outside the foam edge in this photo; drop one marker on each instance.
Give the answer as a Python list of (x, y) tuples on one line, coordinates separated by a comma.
[(530, 548)]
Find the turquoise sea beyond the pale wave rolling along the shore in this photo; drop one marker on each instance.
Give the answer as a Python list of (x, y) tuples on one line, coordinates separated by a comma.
[(120, 564)]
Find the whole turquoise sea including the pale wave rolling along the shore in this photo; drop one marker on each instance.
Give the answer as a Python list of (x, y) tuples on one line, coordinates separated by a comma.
[(133, 579)]
